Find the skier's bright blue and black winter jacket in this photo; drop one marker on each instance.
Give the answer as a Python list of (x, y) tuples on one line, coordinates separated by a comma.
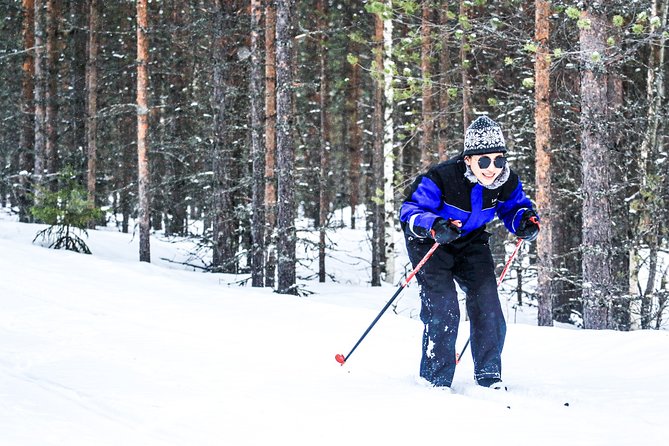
[(445, 192)]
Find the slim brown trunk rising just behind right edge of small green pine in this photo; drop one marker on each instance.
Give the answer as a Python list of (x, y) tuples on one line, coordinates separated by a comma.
[(92, 100)]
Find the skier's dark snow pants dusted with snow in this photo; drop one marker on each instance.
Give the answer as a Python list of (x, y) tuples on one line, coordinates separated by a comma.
[(472, 267)]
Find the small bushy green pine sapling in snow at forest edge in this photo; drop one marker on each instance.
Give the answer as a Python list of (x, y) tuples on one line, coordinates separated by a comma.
[(65, 210)]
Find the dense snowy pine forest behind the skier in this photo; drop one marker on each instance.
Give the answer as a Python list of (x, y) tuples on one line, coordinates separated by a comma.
[(245, 115)]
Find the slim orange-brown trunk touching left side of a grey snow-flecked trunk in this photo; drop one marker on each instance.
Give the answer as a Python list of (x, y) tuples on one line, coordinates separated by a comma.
[(270, 142)]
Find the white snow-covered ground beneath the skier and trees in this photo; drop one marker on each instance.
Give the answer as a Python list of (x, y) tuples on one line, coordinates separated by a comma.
[(105, 350)]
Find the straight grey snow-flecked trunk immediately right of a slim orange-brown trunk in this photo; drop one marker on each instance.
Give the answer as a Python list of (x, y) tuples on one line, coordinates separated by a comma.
[(285, 150)]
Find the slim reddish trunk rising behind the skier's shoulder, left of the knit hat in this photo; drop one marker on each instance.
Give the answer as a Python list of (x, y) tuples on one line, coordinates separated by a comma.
[(427, 118)]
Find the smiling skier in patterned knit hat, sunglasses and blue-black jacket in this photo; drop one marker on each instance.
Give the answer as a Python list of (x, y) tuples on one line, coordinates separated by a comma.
[(451, 205)]
